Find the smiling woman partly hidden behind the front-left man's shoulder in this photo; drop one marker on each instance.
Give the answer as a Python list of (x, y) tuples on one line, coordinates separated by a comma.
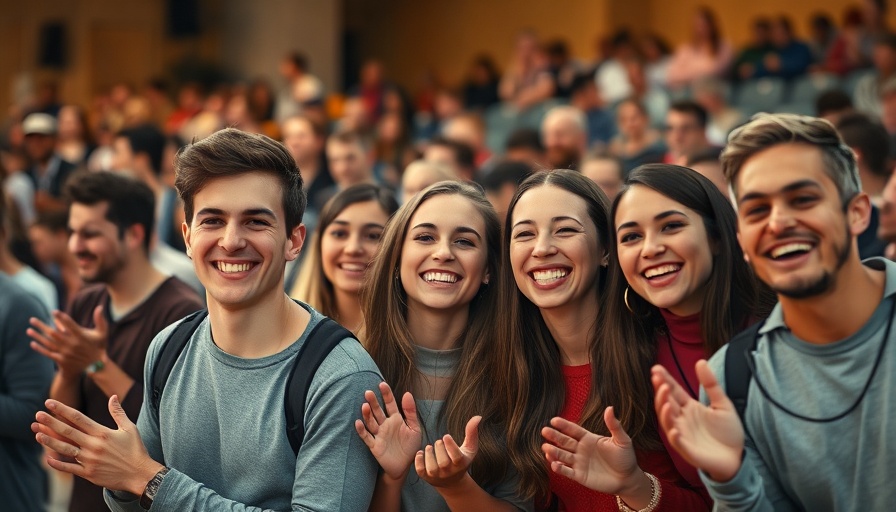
[(344, 244)]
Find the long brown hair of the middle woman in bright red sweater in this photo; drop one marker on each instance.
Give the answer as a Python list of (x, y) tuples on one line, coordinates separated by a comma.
[(537, 391)]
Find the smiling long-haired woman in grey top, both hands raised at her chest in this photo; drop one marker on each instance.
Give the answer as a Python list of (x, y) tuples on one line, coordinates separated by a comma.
[(429, 314)]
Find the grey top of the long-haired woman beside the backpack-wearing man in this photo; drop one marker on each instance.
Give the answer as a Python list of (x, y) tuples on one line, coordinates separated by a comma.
[(416, 494)]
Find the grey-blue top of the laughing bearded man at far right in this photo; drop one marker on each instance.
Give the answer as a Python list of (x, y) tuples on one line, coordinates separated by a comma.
[(792, 464)]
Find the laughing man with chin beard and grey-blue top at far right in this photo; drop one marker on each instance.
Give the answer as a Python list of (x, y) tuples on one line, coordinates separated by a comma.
[(811, 413)]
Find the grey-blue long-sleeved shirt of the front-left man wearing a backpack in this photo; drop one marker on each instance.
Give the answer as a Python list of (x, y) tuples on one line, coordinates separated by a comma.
[(222, 430)]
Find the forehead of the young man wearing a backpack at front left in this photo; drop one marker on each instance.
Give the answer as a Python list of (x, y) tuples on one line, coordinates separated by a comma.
[(233, 194)]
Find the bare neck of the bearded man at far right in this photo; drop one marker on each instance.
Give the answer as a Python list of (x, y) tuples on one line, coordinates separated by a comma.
[(856, 294)]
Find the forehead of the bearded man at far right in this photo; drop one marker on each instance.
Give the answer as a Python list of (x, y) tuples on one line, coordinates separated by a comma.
[(773, 169)]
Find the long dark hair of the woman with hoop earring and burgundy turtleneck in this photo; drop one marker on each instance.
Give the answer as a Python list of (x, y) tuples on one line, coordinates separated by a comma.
[(733, 297)]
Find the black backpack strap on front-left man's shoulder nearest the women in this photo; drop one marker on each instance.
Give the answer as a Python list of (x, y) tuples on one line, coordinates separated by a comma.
[(322, 339)]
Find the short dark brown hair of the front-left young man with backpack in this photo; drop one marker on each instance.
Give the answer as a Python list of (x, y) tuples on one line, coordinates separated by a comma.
[(231, 152)]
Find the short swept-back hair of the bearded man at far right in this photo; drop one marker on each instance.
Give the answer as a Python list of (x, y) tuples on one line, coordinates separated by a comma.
[(767, 130)]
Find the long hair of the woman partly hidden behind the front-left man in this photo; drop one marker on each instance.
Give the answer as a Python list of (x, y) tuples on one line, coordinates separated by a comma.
[(313, 287)]
